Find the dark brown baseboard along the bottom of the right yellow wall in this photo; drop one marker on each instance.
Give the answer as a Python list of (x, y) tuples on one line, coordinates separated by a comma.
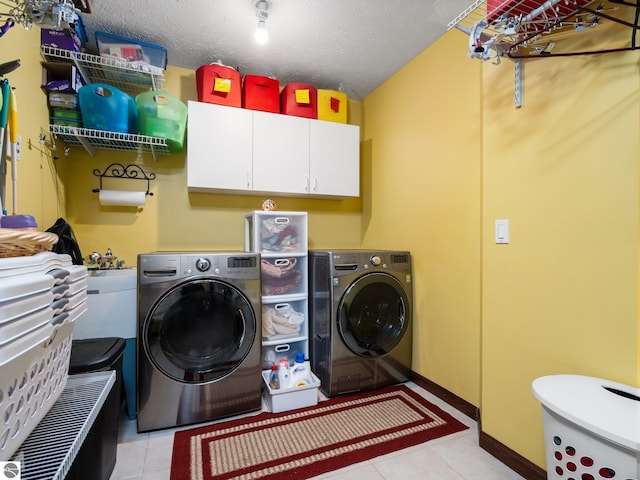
[(511, 459)]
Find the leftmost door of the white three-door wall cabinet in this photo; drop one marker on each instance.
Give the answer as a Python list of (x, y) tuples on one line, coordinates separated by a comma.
[(219, 154)]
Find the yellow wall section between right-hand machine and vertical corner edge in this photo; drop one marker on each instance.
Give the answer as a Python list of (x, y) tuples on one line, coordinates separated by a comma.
[(422, 149)]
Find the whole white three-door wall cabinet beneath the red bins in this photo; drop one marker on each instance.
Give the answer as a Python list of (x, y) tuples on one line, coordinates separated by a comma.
[(234, 150)]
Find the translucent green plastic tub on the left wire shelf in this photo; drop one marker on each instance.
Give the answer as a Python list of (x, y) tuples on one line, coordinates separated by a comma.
[(162, 115)]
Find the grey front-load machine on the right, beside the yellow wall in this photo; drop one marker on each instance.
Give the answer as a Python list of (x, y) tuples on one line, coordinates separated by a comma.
[(360, 317)]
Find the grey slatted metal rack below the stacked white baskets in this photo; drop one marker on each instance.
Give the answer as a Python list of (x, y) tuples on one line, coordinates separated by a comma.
[(50, 449)]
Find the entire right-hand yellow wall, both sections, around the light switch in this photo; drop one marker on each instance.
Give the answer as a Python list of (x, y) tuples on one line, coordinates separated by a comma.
[(450, 154)]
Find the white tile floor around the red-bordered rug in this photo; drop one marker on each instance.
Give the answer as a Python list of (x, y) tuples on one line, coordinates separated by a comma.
[(147, 456)]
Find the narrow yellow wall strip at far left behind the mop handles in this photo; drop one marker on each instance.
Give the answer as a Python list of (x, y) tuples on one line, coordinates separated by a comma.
[(36, 173)]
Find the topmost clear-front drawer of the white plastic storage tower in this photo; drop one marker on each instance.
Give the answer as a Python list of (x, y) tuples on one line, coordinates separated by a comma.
[(276, 232)]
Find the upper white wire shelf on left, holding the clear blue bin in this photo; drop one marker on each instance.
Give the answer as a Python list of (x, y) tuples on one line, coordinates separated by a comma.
[(128, 76)]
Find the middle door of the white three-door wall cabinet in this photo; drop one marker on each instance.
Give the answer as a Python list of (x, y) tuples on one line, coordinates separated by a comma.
[(280, 153)]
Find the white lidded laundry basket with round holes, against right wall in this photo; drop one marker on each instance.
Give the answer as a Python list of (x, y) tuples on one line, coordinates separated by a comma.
[(591, 428)]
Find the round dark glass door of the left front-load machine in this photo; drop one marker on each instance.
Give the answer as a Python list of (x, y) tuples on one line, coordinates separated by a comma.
[(199, 331)]
